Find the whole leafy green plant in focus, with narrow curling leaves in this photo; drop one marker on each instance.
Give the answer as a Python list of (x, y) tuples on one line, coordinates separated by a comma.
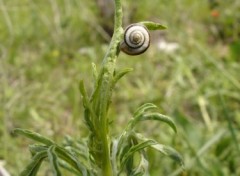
[(100, 153)]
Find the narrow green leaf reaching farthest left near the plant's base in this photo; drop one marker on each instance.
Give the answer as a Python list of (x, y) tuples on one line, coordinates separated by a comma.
[(34, 136)]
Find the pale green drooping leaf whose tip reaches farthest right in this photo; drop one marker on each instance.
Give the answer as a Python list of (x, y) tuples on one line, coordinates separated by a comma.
[(166, 150)]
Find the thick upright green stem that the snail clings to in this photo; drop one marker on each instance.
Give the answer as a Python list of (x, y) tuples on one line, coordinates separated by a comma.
[(103, 92)]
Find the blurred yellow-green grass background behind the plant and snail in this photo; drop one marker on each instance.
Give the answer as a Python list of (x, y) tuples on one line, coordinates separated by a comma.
[(47, 46)]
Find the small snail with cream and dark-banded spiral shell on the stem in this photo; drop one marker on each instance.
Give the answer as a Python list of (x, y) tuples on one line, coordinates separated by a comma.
[(136, 39)]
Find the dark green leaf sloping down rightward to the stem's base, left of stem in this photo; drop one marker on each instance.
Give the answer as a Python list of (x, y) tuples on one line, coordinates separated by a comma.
[(71, 160)]
